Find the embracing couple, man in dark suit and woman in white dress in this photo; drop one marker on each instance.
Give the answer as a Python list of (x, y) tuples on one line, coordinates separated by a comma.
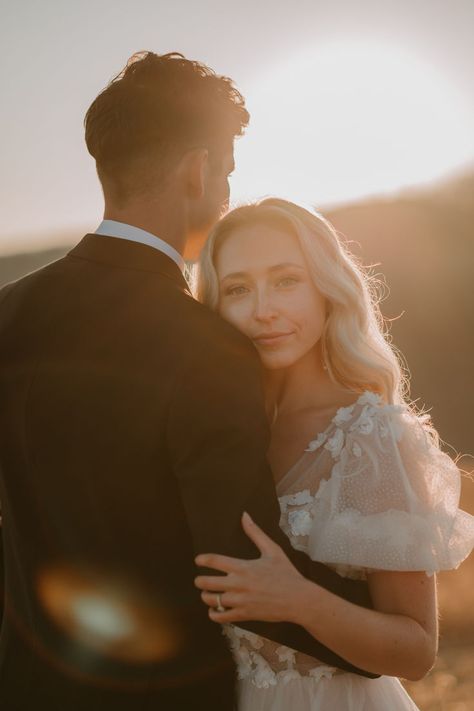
[(219, 500)]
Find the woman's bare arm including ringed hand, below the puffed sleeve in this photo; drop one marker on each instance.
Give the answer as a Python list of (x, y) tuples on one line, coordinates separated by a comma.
[(397, 638)]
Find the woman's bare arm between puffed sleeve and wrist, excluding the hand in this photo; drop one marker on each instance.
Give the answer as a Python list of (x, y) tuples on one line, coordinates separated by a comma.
[(397, 638)]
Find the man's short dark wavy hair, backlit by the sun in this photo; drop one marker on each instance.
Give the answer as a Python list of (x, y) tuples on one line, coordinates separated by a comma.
[(158, 107)]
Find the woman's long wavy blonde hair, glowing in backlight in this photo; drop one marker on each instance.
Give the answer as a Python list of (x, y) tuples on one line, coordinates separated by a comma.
[(355, 343)]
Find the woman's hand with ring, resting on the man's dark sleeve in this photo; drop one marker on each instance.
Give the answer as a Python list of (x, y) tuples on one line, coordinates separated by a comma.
[(262, 589)]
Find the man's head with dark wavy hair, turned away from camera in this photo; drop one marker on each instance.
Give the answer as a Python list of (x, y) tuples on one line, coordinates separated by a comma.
[(166, 120)]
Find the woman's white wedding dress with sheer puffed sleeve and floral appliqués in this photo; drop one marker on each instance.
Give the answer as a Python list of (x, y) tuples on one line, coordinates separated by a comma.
[(372, 492)]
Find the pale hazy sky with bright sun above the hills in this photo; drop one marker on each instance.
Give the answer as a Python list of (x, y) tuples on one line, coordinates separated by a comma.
[(347, 99)]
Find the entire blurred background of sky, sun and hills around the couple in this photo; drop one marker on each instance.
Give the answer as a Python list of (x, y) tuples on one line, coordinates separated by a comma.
[(364, 110)]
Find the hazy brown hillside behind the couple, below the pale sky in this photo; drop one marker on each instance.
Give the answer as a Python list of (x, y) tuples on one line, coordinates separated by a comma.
[(423, 244)]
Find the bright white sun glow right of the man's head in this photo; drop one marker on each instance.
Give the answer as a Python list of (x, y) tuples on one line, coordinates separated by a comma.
[(347, 120)]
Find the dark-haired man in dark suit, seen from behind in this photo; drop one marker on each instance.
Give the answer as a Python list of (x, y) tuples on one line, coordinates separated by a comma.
[(132, 427)]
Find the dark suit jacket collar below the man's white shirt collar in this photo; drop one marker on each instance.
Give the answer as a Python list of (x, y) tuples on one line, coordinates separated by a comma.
[(125, 254)]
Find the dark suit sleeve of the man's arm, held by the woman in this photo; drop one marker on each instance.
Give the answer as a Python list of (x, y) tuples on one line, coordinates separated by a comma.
[(218, 437)]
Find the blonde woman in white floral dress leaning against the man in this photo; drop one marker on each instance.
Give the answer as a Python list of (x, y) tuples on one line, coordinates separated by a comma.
[(362, 483)]
